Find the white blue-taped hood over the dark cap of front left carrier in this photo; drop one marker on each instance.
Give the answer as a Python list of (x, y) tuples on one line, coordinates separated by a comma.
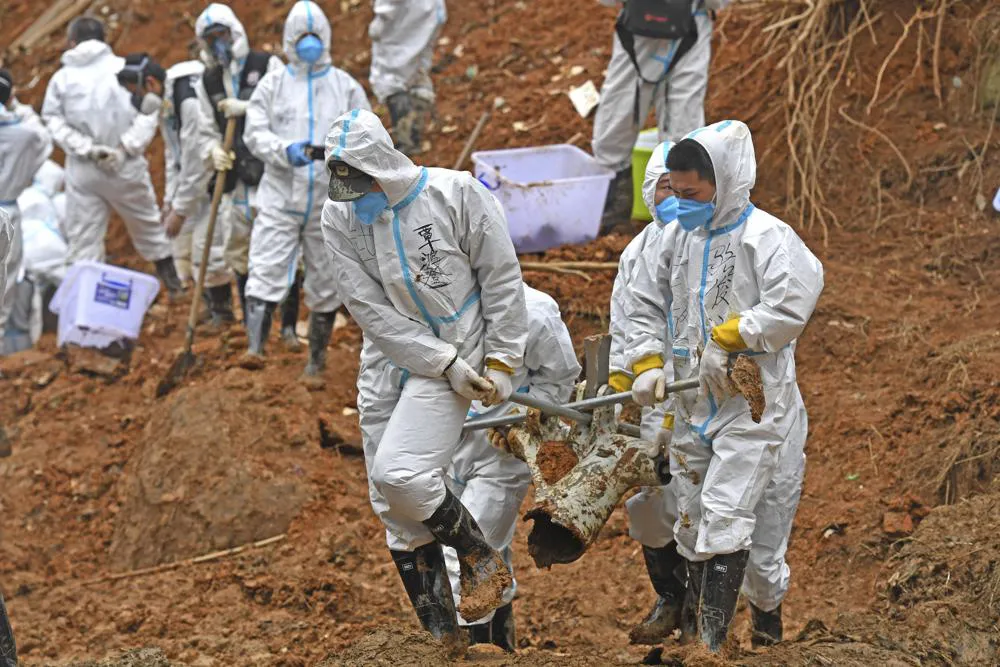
[(359, 139)]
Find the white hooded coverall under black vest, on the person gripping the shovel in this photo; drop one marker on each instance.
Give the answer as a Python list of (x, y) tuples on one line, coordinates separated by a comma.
[(238, 205)]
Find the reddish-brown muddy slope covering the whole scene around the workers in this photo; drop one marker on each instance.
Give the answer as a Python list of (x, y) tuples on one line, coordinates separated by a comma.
[(895, 547)]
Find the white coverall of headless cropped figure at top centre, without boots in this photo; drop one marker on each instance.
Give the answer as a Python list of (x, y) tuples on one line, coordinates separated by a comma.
[(403, 34)]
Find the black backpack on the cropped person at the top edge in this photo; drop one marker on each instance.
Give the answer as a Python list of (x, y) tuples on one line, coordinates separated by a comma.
[(659, 19)]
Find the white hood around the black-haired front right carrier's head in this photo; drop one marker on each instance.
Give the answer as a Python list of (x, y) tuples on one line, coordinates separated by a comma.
[(730, 147)]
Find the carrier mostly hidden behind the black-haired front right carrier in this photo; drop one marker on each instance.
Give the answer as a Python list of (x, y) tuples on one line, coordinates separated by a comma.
[(653, 510)]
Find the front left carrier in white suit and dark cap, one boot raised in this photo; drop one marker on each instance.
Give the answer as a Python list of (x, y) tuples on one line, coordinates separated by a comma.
[(425, 265)]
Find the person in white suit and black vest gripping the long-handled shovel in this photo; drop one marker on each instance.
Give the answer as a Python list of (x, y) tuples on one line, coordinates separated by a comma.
[(232, 71)]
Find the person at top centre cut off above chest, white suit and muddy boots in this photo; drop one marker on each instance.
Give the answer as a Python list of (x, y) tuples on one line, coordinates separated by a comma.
[(403, 34)]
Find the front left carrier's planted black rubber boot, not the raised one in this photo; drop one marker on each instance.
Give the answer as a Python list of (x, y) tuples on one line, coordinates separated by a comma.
[(425, 579)]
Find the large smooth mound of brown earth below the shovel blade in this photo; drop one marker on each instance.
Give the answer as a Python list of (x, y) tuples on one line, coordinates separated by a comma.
[(206, 473)]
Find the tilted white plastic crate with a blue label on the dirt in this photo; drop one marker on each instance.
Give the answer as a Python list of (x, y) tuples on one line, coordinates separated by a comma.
[(98, 304)]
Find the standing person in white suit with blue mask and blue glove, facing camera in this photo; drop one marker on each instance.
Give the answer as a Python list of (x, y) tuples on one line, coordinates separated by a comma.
[(290, 113)]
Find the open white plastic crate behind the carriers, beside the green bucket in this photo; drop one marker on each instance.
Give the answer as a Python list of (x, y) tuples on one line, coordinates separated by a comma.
[(551, 194)]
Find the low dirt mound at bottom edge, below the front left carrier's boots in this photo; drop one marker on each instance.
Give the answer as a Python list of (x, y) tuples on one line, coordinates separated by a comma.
[(388, 647)]
